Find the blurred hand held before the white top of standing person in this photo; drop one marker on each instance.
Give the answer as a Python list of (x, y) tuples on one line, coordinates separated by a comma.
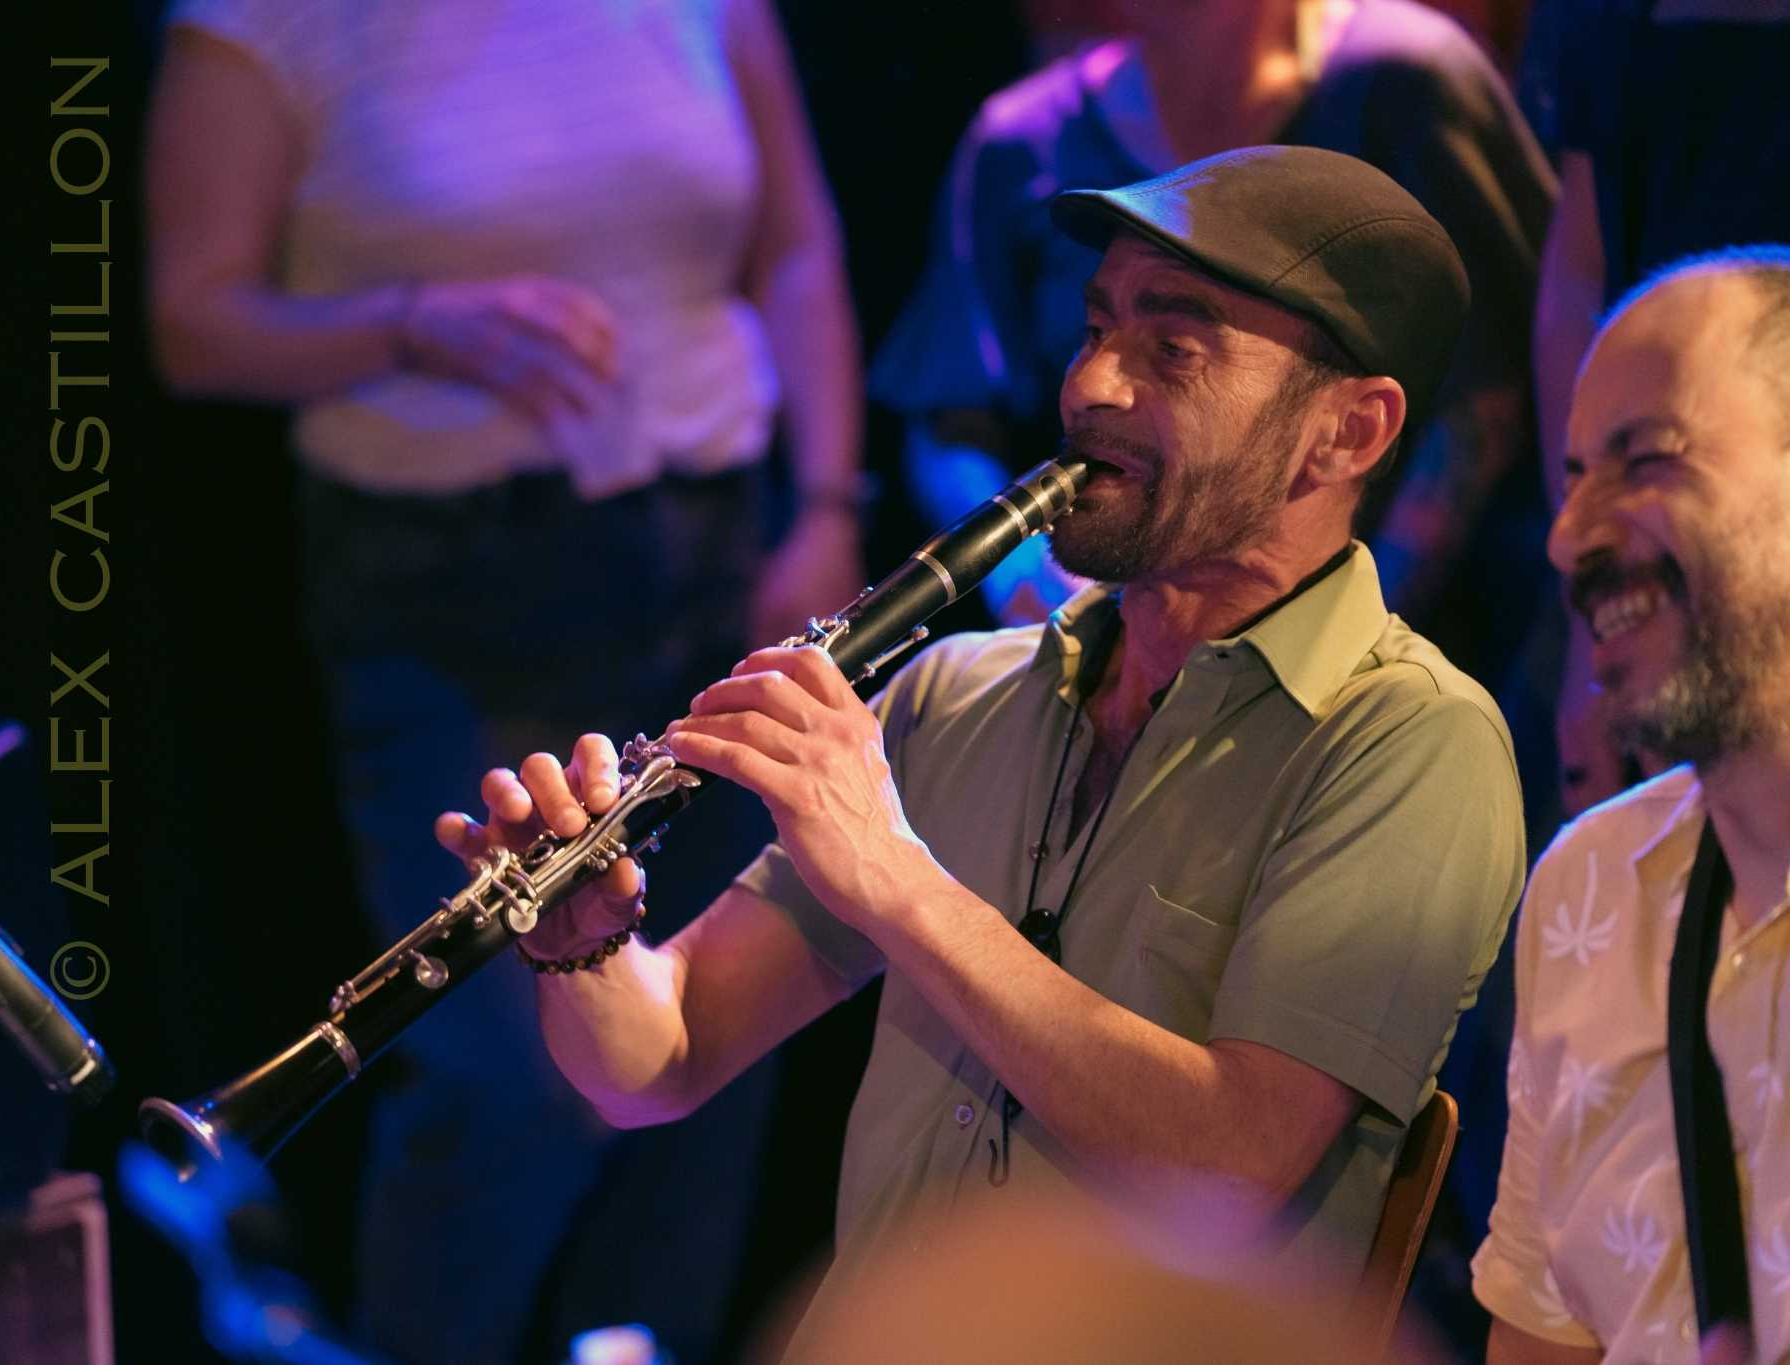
[(543, 346)]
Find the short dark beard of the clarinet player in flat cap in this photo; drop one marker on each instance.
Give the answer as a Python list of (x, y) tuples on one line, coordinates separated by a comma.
[(1188, 513)]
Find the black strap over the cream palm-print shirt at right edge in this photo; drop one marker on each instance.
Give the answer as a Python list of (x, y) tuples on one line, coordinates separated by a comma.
[(1700, 1114)]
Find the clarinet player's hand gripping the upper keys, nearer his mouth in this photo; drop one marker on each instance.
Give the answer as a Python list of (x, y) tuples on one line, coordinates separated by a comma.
[(788, 727)]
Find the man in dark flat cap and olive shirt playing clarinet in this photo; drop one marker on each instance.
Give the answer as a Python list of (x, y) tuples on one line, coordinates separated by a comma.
[(1179, 892)]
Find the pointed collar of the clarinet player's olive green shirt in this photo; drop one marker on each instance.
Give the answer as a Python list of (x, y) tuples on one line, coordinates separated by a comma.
[(1311, 643)]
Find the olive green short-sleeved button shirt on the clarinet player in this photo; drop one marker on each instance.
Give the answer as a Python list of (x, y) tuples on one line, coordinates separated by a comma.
[(1317, 845)]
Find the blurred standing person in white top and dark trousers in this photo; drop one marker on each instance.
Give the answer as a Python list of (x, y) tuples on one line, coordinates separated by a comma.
[(536, 278)]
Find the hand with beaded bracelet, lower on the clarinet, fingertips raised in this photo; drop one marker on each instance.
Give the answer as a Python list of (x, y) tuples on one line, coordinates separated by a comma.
[(549, 797)]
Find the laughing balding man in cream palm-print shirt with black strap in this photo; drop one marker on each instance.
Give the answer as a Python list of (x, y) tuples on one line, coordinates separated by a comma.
[(1676, 543)]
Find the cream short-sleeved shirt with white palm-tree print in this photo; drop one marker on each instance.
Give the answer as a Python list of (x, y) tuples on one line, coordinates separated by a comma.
[(1587, 1242)]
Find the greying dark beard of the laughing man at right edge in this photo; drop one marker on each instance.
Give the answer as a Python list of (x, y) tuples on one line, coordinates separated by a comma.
[(1701, 711)]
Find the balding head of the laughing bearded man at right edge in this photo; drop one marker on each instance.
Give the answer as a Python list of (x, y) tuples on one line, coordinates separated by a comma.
[(1676, 527)]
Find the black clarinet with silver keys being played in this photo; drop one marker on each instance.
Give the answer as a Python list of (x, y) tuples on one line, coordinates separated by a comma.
[(513, 890)]
